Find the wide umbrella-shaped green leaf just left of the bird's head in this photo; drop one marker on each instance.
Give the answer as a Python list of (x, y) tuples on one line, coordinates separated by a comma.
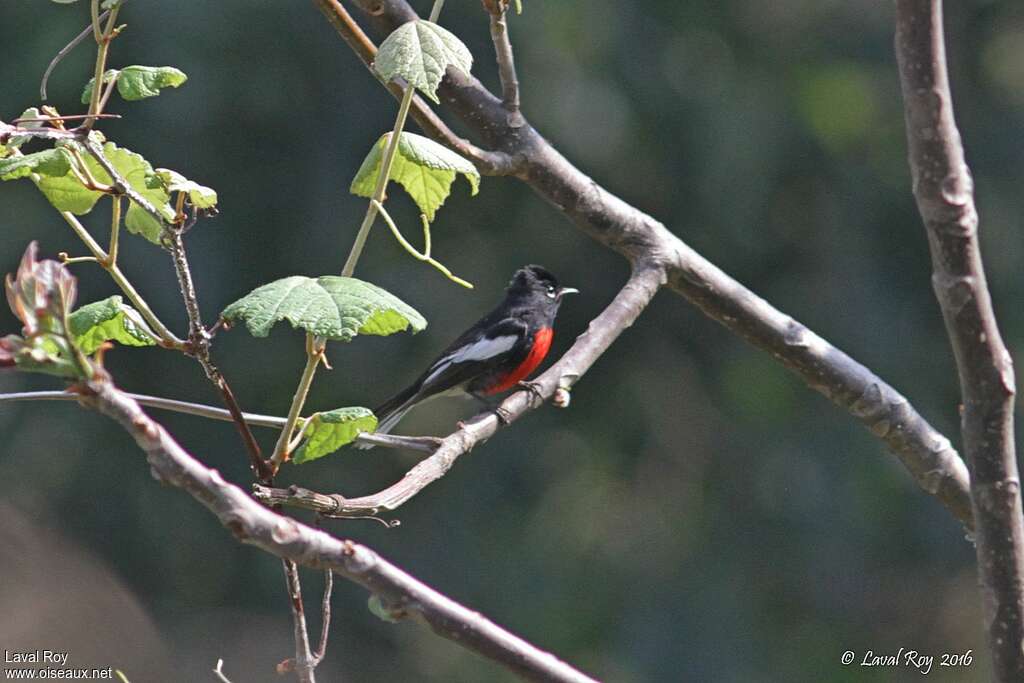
[(331, 307)]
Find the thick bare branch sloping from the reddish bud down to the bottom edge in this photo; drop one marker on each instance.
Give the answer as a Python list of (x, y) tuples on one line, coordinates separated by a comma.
[(253, 524)]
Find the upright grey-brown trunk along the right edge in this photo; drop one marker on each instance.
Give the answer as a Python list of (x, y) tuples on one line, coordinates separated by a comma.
[(945, 191)]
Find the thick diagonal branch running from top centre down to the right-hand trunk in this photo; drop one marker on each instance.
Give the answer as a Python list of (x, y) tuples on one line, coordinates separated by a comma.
[(926, 453)]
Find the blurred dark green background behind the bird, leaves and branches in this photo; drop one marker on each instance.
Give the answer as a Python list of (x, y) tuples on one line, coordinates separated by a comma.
[(698, 515)]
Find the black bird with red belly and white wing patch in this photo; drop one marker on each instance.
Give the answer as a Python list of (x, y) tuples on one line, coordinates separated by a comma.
[(494, 356)]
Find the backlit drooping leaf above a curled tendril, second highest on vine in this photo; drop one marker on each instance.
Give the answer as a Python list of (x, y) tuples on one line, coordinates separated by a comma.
[(423, 167)]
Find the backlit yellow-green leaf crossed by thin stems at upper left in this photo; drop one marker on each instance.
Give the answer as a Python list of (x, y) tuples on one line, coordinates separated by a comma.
[(68, 194)]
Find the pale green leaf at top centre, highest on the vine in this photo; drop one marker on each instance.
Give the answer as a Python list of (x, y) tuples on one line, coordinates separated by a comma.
[(420, 53)]
